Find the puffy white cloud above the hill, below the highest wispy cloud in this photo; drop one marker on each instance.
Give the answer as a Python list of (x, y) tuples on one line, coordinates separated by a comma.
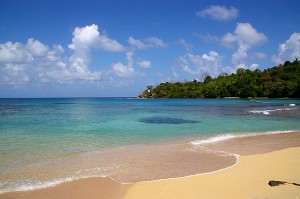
[(244, 37)]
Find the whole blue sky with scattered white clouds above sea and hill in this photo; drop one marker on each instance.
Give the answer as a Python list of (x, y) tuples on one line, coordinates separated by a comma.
[(115, 48)]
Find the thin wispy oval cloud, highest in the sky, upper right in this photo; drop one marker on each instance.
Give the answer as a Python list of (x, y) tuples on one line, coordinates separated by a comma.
[(219, 13)]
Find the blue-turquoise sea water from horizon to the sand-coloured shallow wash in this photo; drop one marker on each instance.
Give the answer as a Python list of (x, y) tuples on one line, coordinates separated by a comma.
[(33, 131)]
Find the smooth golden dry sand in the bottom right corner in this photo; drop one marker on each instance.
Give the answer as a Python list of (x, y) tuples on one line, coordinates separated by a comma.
[(248, 179)]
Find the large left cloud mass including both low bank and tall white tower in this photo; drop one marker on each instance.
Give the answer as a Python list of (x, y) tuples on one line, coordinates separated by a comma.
[(35, 62)]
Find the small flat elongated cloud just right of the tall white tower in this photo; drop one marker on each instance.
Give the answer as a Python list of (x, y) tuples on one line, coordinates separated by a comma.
[(149, 42)]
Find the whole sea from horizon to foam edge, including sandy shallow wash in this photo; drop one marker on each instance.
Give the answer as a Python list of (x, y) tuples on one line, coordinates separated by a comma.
[(44, 142)]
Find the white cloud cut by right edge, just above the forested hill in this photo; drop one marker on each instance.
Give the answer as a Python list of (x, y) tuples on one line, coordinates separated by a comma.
[(289, 50)]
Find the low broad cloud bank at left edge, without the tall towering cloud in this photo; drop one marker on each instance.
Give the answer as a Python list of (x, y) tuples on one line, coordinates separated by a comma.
[(36, 62)]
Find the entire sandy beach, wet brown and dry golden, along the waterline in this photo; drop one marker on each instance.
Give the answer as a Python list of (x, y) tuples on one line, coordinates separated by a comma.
[(273, 157)]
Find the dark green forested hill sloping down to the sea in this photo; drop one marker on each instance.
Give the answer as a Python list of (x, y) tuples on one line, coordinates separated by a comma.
[(279, 81)]
